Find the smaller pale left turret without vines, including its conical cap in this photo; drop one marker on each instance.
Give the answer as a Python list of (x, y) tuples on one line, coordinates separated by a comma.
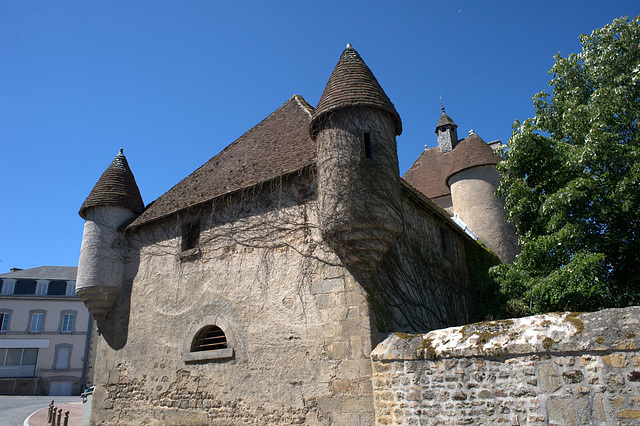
[(113, 203)]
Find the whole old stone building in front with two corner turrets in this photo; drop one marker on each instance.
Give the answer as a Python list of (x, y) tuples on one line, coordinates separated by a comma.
[(255, 289)]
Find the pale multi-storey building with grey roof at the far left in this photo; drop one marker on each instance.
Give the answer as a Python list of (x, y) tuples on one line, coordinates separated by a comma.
[(45, 332)]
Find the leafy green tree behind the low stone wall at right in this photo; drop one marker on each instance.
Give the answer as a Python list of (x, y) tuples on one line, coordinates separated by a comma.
[(571, 182)]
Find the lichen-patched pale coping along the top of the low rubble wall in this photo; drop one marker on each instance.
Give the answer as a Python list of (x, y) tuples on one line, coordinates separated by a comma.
[(607, 330)]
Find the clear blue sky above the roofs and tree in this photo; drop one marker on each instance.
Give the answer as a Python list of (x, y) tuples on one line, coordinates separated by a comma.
[(174, 82)]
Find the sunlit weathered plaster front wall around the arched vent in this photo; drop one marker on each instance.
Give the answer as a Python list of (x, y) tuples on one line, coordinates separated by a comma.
[(298, 322)]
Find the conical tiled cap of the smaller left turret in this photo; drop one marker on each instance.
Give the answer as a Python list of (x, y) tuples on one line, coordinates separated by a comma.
[(116, 187)]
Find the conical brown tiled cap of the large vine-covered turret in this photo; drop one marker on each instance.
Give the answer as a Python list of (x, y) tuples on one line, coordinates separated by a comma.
[(352, 84)]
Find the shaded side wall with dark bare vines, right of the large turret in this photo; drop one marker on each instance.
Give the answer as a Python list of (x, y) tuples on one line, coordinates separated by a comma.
[(418, 285)]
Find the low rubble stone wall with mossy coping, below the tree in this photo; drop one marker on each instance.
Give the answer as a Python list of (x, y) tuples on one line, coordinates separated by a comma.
[(557, 369)]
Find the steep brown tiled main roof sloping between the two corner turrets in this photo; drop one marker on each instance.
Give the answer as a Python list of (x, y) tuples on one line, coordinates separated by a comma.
[(279, 144)]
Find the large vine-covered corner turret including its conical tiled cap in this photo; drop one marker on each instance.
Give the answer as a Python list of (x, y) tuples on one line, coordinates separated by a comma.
[(355, 125)]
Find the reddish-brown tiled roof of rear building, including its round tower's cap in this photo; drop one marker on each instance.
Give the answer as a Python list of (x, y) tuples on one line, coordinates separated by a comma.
[(431, 171)]
